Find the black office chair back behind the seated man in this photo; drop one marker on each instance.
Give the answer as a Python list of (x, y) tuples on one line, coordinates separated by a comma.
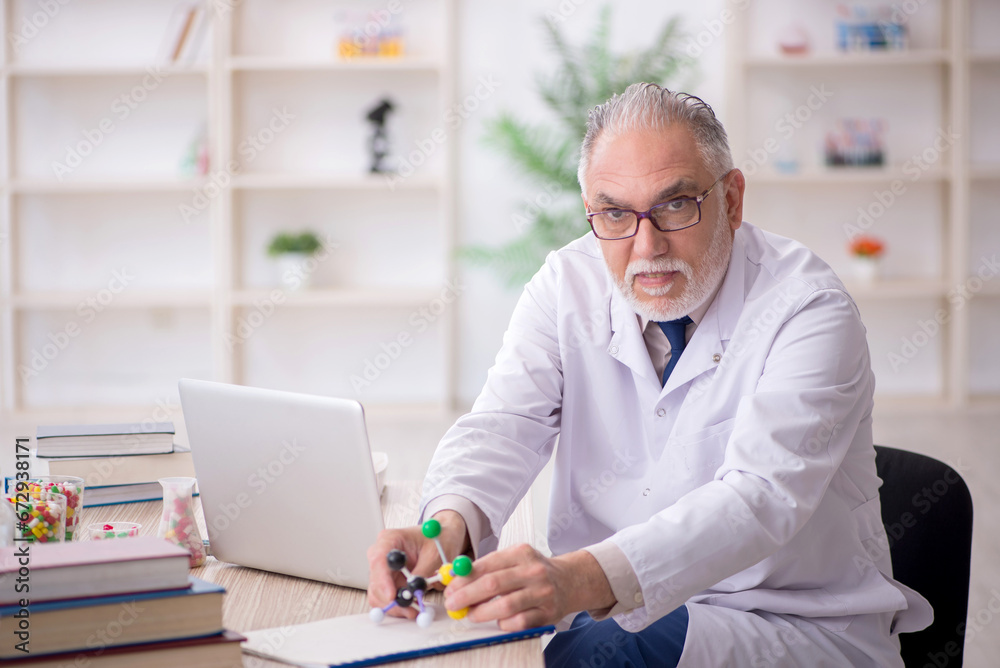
[(927, 513)]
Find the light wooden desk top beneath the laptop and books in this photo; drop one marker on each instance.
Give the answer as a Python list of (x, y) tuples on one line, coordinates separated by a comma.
[(258, 599)]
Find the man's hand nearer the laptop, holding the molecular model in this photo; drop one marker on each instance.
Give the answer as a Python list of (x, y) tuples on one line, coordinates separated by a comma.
[(422, 558)]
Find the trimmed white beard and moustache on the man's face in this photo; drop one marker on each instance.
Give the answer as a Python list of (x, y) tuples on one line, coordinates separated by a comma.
[(696, 289)]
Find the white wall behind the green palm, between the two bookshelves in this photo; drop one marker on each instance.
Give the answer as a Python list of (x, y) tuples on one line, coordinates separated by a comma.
[(505, 42)]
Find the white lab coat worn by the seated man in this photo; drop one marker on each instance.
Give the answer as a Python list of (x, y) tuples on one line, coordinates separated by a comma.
[(747, 482)]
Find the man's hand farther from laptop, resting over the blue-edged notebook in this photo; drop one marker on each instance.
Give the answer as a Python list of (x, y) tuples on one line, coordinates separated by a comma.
[(521, 588)]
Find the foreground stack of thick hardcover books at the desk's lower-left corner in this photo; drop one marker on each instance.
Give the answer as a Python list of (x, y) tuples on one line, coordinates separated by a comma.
[(110, 603)]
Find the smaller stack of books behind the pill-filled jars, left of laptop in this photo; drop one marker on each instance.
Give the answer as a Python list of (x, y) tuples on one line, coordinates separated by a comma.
[(119, 463)]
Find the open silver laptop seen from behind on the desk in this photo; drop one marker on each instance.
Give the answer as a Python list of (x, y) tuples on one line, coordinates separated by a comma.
[(286, 480)]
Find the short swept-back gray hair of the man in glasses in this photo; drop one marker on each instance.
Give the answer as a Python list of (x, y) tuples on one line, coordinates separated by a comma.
[(646, 106)]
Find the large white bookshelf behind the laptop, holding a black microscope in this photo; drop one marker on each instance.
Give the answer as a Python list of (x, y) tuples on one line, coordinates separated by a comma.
[(196, 282)]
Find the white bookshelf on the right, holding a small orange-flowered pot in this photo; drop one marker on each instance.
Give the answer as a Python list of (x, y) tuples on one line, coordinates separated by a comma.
[(940, 224)]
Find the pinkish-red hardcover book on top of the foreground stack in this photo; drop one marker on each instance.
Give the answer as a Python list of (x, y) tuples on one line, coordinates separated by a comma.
[(78, 569)]
